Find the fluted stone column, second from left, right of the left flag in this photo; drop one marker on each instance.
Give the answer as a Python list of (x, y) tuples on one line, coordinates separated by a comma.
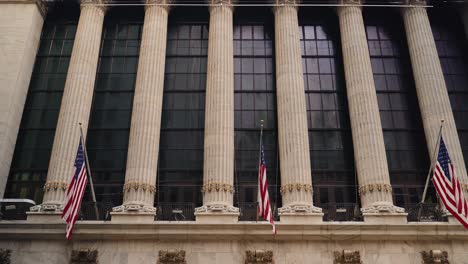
[(143, 148)]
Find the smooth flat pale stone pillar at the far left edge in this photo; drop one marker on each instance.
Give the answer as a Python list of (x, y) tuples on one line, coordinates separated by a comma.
[(20, 30)]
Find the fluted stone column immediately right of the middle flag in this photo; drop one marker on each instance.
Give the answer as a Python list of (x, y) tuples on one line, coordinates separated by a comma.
[(296, 180)]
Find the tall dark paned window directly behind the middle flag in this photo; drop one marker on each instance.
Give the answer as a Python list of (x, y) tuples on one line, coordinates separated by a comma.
[(254, 100)]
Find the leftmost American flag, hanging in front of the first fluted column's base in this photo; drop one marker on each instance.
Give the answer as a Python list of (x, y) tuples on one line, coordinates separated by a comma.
[(75, 191)]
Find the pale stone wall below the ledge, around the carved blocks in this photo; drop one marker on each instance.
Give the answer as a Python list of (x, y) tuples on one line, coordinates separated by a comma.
[(226, 251)]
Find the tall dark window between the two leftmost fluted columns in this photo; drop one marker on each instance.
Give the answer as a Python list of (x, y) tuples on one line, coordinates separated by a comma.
[(108, 132)]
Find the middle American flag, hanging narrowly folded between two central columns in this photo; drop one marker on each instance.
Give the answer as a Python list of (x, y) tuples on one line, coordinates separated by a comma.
[(264, 208)]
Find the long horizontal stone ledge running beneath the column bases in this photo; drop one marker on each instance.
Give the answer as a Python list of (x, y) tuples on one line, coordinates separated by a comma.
[(356, 231)]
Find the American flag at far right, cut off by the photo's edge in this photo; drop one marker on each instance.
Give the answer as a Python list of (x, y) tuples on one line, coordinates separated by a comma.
[(448, 187)]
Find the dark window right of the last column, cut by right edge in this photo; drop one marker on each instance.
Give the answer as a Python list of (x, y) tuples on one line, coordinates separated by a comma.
[(451, 45)]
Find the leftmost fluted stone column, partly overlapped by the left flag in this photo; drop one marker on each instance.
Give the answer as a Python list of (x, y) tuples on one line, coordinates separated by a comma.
[(75, 107)]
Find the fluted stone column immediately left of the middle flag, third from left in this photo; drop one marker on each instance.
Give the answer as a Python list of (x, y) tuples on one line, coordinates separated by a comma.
[(218, 166)]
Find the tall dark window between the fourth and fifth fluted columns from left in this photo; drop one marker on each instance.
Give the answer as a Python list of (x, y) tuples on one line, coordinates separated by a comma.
[(331, 151)]
